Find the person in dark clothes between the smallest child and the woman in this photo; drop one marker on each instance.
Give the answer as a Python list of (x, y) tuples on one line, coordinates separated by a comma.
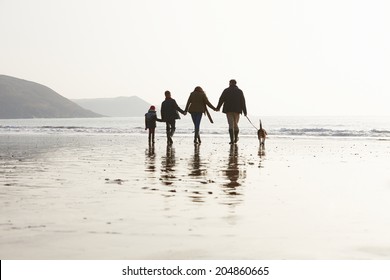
[(169, 115)]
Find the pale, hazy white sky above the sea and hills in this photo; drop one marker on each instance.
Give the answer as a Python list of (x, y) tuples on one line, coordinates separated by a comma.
[(290, 57)]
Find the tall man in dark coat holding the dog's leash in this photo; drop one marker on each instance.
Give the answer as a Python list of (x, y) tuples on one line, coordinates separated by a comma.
[(233, 101)]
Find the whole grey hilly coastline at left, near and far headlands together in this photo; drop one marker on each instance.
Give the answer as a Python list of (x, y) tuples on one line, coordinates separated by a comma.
[(22, 99)]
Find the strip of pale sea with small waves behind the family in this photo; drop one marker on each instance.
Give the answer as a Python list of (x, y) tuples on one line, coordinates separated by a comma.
[(371, 127)]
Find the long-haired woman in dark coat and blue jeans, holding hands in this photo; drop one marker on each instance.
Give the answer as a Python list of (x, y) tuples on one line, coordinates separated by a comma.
[(196, 106)]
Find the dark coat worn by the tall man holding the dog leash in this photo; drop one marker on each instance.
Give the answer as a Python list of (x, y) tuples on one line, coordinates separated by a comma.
[(233, 101)]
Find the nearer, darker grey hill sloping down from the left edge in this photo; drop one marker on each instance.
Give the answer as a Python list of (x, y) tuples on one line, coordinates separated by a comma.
[(21, 99)]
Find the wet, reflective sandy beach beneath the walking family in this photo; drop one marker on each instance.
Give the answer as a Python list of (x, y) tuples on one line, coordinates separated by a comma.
[(114, 197)]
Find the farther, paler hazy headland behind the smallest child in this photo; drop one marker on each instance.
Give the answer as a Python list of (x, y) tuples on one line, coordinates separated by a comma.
[(132, 106)]
